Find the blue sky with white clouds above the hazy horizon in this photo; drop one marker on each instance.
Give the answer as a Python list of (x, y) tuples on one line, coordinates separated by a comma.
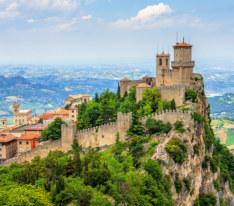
[(112, 31)]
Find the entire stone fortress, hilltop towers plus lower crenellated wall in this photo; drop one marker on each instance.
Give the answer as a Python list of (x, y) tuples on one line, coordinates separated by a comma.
[(172, 79)]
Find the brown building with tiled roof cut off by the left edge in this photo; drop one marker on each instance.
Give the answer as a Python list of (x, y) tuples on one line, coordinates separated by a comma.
[(8, 146)]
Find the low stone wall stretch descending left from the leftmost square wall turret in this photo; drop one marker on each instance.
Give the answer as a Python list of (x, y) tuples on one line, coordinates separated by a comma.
[(41, 150)]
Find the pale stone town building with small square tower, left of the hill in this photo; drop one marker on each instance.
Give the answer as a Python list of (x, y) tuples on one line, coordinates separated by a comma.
[(21, 117)]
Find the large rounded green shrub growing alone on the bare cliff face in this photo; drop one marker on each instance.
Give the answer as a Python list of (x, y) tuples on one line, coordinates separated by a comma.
[(177, 150)]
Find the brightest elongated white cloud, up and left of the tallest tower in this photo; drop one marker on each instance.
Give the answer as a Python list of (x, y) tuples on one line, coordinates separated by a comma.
[(144, 16)]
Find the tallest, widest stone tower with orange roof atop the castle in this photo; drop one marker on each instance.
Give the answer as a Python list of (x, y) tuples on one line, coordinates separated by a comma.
[(182, 65)]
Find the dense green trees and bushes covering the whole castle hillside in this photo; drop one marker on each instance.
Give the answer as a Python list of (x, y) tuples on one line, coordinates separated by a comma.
[(123, 174)]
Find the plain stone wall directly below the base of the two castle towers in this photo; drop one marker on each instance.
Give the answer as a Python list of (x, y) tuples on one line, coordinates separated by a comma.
[(173, 92)]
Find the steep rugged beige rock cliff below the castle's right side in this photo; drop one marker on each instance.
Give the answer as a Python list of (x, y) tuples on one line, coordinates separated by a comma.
[(199, 172)]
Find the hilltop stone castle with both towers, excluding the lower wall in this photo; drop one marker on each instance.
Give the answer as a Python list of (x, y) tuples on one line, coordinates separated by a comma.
[(172, 78)]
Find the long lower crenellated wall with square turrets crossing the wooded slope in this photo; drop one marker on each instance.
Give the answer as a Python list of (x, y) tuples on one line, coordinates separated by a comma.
[(101, 136)]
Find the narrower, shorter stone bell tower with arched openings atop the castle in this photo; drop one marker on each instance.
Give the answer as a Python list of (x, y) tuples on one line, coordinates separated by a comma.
[(162, 68)]
